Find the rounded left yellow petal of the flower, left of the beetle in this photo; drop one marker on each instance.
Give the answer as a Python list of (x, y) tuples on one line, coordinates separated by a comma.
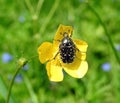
[(46, 52)]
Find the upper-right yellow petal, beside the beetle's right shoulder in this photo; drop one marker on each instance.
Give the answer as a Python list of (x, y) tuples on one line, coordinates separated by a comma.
[(81, 45)]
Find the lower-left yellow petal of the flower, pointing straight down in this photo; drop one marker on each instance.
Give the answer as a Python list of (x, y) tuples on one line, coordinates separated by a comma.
[(54, 70)]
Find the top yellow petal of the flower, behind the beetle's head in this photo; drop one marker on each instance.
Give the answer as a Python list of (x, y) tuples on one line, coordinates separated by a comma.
[(60, 33)]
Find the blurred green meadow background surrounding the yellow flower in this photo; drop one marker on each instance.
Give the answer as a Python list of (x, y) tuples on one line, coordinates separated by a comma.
[(25, 24)]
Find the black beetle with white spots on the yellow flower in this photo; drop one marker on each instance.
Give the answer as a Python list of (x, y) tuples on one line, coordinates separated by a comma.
[(67, 49)]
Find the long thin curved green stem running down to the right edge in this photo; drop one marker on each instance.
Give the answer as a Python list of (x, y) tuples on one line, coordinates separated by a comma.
[(106, 32)]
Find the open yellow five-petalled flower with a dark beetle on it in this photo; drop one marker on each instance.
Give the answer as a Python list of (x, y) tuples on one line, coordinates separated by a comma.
[(51, 53)]
